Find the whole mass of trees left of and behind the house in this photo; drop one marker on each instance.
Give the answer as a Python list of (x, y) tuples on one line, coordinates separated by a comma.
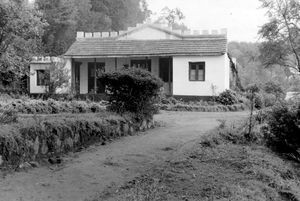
[(49, 27)]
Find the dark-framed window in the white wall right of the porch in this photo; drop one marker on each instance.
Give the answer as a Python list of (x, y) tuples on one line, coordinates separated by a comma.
[(197, 71)]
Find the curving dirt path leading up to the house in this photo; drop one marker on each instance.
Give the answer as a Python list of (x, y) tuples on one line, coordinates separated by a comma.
[(86, 173)]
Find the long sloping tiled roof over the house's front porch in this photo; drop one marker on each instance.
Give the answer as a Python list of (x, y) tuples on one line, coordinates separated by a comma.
[(89, 47)]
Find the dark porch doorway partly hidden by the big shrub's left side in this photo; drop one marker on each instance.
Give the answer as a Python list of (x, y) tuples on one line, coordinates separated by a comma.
[(94, 70)]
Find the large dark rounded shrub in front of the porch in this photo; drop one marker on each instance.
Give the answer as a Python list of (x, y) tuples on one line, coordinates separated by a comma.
[(132, 90)]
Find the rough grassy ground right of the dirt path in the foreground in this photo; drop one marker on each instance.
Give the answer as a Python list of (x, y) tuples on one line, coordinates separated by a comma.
[(218, 170)]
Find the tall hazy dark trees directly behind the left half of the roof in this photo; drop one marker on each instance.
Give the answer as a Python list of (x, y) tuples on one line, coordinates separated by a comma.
[(65, 17)]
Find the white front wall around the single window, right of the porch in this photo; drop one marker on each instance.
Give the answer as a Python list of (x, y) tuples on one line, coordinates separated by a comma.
[(215, 74)]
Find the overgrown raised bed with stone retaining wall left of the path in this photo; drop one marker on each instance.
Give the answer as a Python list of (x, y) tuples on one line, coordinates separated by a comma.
[(34, 137)]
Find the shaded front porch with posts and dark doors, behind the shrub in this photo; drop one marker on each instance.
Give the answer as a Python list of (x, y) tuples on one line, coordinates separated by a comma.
[(84, 71)]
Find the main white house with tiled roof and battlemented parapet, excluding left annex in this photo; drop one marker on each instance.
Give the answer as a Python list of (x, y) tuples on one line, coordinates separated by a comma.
[(190, 64)]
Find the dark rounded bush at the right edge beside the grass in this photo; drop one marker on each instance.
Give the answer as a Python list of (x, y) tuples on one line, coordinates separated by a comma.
[(283, 131)]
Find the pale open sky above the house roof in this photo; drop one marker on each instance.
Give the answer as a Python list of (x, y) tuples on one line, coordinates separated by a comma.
[(242, 18)]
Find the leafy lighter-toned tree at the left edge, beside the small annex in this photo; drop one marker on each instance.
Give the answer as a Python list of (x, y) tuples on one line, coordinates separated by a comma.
[(21, 29)]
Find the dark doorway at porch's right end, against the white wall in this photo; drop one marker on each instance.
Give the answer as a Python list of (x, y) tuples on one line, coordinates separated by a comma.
[(166, 74)]
